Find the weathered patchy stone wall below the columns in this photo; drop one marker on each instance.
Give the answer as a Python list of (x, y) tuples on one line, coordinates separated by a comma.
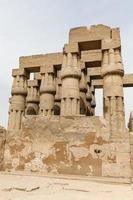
[(67, 145)]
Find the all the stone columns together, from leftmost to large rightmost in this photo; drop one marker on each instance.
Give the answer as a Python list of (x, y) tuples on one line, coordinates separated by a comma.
[(76, 90)]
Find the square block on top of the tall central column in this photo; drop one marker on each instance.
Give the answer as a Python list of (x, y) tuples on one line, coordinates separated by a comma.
[(71, 48)]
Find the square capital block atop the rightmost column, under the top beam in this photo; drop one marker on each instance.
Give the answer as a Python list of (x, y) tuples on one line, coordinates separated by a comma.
[(111, 44)]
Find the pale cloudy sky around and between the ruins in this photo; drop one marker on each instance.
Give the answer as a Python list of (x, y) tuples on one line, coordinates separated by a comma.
[(41, 26)]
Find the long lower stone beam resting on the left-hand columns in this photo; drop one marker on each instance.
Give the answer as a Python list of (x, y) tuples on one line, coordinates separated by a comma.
[(33, 62)]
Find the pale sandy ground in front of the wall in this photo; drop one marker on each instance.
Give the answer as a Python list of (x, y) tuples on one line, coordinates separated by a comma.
[(16, 187)]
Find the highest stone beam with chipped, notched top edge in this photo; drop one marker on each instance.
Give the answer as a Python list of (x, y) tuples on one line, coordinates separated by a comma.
[(94, 32)]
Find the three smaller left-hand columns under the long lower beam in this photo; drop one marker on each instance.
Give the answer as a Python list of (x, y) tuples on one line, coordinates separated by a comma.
[(26, 97)]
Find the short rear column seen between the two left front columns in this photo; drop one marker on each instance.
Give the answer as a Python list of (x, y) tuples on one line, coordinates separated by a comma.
[(32, 98)]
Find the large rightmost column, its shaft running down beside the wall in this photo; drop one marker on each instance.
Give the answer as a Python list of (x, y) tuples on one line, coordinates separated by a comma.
[(112, 72)]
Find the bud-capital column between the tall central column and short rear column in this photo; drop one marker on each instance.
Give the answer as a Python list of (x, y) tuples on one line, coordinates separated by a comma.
[(47, 91)]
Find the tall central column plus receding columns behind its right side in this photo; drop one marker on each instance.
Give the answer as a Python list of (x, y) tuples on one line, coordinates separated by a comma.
[(78, 95)]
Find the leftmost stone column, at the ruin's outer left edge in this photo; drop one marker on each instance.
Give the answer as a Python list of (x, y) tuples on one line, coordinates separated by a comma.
[(18, 99)]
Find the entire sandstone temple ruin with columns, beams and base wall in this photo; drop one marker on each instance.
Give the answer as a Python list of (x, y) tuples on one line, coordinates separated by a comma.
[(52, 125)]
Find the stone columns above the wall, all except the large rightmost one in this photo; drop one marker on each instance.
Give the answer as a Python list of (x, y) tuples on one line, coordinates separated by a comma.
[(77, 95)]
